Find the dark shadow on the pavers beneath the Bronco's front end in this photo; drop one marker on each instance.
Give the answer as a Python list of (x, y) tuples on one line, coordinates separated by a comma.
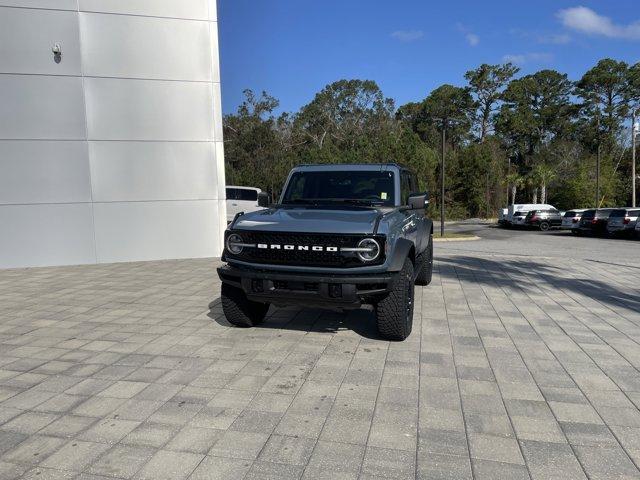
[(361, 321)]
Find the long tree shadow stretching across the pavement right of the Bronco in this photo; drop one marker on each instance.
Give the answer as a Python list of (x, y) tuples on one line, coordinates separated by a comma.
[(534, 277)]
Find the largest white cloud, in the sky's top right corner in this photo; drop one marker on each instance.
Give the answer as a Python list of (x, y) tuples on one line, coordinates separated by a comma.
[(585, 20)]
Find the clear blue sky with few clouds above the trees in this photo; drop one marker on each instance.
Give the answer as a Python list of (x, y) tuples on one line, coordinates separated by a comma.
[(292, 48)]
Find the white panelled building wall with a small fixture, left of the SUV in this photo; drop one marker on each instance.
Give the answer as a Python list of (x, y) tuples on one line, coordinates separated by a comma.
[(114, 153)]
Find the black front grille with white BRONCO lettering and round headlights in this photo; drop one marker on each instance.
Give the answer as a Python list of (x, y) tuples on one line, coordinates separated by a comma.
[(308, 257)]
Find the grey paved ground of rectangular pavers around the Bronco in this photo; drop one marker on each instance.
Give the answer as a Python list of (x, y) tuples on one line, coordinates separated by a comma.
[(523, 363)]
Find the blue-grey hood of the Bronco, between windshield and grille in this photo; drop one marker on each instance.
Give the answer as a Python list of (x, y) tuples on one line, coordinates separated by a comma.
[(311, 220)]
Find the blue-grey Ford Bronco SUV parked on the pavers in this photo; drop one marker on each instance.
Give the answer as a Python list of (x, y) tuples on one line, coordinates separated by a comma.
[(341, 236)]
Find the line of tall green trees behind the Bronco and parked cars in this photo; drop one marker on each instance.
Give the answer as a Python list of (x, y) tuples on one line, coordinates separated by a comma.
[(508, 138)]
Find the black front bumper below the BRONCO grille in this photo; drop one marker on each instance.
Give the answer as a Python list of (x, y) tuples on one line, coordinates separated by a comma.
[(311, 290)]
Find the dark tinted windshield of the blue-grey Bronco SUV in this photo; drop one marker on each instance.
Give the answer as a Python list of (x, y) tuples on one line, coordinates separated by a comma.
[(372, 187)]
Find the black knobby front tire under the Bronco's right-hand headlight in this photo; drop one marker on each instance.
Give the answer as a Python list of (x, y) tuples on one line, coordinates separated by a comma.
[(394, 313)]
